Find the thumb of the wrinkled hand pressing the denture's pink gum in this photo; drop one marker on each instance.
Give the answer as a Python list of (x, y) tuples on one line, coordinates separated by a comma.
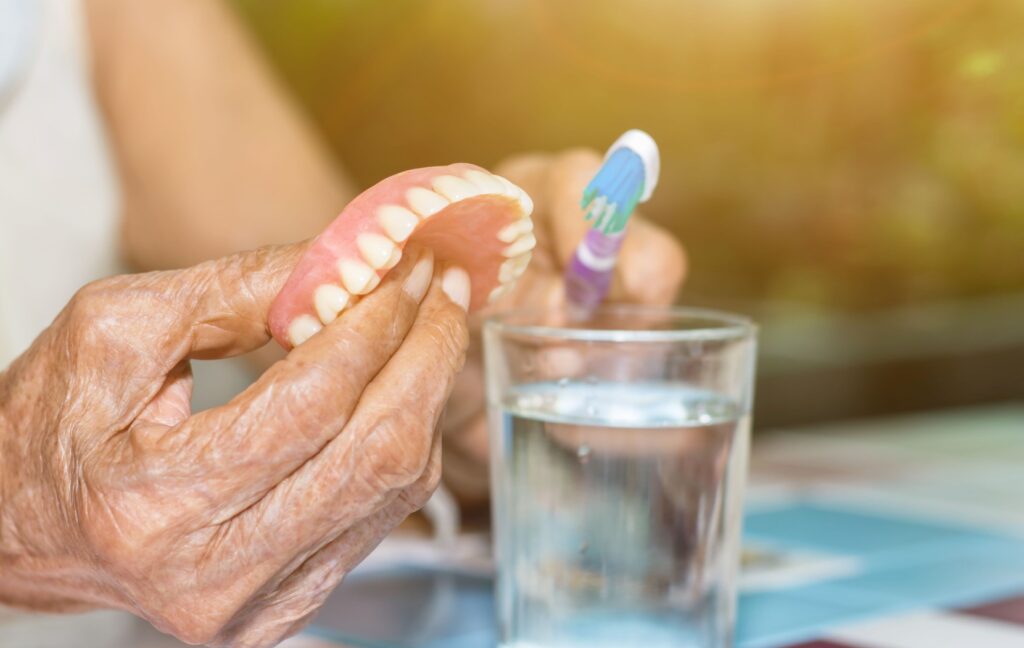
[(145, 327)]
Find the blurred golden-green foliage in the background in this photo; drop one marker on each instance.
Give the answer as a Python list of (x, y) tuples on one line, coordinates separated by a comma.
[(844, 154)]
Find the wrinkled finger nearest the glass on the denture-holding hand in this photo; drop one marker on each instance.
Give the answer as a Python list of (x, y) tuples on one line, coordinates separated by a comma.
[(388, 444)]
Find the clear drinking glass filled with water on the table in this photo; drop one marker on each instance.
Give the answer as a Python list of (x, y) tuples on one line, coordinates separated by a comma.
[(619, 454)]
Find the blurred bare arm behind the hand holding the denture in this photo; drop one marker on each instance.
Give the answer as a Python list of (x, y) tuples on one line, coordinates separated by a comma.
[(215, 157)]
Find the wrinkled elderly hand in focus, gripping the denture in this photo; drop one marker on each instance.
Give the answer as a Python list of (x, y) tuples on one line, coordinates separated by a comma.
[(230, 527)]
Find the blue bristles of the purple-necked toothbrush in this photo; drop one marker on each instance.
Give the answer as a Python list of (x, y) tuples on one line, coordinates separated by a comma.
[(620, 182)]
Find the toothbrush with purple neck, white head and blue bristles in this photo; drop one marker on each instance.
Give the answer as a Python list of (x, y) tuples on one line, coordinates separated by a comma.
[(627, 179)]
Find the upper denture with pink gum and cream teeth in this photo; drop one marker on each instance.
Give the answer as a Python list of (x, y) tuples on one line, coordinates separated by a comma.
[(465, 214)]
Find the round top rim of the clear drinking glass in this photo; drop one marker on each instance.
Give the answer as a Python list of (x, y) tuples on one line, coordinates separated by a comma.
[(721, 326)]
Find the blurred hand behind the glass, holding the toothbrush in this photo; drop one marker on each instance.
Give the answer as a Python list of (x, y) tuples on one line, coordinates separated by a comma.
[(651, 270)]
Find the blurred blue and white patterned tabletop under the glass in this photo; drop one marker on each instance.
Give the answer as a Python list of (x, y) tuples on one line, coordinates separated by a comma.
[(905, 533)]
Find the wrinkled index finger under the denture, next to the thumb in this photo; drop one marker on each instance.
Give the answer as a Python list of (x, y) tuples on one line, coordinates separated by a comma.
[(302, 403)]
